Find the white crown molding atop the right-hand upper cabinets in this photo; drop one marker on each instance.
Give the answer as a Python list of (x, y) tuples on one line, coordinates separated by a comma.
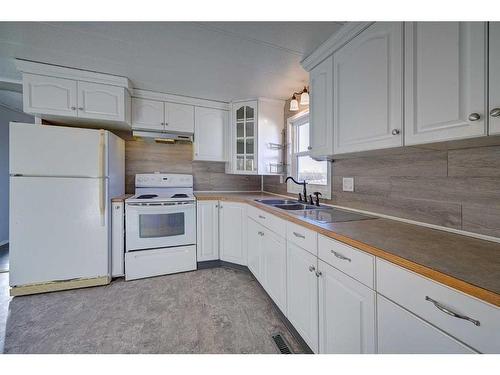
[(337, 40)]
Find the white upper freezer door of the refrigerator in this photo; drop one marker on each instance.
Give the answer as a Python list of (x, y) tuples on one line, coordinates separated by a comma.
[(43, 150)]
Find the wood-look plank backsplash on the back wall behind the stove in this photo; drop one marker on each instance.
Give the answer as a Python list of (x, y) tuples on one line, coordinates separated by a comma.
[(147, 157)]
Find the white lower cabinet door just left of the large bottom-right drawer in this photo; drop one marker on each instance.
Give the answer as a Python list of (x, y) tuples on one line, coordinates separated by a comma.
[(346, 313)]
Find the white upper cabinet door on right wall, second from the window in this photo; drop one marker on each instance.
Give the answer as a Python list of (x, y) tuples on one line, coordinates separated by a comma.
[(368, 90)]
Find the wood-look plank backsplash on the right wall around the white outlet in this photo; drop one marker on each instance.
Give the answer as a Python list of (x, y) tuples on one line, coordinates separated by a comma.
[(453, 188)]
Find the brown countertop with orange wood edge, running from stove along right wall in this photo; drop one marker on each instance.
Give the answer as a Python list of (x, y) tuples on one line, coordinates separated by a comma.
[(464, 263)]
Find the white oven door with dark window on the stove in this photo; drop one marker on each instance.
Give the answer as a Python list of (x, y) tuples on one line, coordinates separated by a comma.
[(158, 225)]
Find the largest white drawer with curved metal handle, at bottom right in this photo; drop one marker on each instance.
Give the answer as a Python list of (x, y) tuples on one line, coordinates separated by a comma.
[(430, 301)]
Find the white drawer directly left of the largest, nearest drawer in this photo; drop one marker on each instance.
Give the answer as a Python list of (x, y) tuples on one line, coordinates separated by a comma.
[(349, 260)]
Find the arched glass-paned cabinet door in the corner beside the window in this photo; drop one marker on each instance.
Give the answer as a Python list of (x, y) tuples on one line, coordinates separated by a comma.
[(245, 120)]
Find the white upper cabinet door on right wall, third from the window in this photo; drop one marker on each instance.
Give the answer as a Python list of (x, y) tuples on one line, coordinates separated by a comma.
[(444, 81)]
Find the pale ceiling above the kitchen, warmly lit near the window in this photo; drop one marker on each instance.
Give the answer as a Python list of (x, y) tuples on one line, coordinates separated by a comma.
[(212, 60)]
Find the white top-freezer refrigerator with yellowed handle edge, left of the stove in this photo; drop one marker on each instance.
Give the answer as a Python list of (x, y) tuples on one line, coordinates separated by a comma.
[(62, 180)]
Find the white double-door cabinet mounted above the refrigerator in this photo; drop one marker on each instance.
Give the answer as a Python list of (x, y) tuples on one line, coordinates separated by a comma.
[(75, 96)]
